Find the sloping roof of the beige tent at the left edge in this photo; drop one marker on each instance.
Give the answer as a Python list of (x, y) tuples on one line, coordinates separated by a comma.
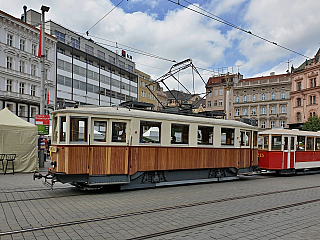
[(8, 119)]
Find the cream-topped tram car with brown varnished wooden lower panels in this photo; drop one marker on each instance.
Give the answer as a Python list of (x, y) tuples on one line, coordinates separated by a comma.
[(206, 149)]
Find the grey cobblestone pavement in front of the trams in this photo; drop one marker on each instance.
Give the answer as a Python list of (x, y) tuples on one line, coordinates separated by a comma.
[(28, 204)]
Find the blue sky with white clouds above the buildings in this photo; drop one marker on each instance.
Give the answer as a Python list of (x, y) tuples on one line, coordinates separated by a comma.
[(169, 30)]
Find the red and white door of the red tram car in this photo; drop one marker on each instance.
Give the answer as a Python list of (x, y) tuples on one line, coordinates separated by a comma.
[(288, 159)]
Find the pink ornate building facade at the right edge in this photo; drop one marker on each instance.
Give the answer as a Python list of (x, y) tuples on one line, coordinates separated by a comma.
[(305, 93)]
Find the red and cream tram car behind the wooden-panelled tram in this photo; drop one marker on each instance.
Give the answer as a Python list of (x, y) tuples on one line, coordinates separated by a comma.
[(289, 151)]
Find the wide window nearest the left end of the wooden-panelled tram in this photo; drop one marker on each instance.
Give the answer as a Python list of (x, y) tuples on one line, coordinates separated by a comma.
[(78, 129)]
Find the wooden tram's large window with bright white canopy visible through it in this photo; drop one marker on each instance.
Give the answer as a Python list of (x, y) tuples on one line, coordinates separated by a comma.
[(150, 132)]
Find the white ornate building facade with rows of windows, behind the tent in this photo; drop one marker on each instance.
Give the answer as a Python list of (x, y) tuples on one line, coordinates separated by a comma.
[(20, 67)]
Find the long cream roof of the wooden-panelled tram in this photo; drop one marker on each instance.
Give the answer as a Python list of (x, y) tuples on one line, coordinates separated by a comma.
[(125, 112)]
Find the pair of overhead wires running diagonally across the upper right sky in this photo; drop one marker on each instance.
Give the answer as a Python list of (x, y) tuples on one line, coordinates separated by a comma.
[(218, 19)]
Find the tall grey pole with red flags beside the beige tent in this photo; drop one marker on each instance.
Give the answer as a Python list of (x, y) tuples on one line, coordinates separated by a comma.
[(43, 72)]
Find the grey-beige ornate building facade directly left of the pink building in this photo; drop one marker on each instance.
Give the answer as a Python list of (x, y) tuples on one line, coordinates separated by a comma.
[(264, 101)]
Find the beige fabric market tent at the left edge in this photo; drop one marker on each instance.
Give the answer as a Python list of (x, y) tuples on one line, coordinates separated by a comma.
[(21, 138)]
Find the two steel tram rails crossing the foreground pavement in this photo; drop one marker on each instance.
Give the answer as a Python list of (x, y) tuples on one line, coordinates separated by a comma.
[(131, 214)]
